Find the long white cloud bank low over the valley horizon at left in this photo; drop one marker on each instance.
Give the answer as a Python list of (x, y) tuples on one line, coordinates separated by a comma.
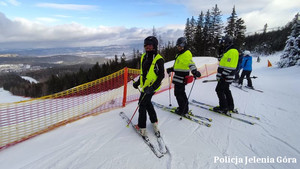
[(23, 33)]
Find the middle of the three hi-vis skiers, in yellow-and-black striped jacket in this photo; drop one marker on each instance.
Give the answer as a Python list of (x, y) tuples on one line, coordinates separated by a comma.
[(182, 66)]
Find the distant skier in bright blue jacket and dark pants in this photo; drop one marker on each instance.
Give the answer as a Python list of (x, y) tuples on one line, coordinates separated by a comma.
[(247, 69)]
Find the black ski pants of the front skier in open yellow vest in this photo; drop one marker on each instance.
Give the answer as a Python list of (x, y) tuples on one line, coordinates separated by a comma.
[(146, 106)]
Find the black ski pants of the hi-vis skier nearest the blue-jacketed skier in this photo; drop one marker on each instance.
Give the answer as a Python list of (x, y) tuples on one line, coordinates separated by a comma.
[(224, 95)]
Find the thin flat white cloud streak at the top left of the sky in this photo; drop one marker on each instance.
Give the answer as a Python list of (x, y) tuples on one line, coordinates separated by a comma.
[(67, 6)]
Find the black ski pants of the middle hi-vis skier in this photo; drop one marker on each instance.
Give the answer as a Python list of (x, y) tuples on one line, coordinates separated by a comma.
[(179, 92)]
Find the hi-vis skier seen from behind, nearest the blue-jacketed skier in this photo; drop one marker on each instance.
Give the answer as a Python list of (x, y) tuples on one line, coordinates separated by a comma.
[(225, 75)]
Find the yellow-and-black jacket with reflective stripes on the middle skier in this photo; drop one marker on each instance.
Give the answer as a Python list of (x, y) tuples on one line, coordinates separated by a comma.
[(182, 66)]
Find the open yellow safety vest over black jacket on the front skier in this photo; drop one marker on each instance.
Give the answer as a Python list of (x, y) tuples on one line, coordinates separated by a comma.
[(151, 76)]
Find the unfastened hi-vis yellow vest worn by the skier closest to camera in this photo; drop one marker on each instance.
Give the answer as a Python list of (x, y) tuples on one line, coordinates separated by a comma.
[(150, 79)]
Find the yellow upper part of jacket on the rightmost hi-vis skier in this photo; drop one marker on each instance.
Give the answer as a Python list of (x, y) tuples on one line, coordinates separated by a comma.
[(230, 59)]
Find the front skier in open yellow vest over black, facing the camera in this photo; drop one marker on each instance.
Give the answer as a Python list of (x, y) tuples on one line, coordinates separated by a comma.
[(151, 75)]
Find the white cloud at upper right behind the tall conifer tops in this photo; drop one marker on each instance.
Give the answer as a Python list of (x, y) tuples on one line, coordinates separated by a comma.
[(256, 13)]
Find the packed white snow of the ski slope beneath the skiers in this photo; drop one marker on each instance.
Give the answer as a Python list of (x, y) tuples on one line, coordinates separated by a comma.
[(104, 141)]
